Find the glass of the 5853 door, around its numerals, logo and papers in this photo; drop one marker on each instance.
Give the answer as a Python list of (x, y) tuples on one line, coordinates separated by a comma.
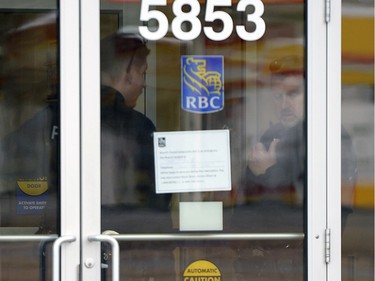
[(264, 101)]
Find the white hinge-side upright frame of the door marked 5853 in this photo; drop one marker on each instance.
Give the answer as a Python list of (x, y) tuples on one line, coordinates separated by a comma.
[(316, 140)]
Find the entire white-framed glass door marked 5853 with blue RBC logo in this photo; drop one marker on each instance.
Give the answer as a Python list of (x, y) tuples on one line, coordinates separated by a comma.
[(200, 114)]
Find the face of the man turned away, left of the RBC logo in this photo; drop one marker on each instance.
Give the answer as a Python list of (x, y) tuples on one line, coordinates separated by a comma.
[(135, 85)]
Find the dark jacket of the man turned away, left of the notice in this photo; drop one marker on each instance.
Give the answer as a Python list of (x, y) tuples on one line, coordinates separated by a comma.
[(127, 153)]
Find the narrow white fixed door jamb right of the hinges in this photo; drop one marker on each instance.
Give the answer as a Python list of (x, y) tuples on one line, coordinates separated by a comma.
[(334, 138)]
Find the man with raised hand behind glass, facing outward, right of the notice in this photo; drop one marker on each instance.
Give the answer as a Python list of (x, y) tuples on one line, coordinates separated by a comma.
[(275, 174)]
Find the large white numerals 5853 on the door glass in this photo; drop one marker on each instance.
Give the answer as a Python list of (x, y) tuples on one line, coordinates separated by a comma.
[(196, 27)]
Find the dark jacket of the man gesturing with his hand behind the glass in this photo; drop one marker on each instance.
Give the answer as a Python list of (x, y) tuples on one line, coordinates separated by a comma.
[(283, 181)]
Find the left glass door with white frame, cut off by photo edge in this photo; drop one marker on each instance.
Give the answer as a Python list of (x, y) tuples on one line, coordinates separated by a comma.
[(39, 140)]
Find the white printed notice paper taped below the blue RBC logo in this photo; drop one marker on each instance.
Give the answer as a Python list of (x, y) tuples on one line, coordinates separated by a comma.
[(192, 161)]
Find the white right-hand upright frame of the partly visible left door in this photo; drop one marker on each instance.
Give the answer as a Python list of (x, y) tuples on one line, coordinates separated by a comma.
[(70, 137)]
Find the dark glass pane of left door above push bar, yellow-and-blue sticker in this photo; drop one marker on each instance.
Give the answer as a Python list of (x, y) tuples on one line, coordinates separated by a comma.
[(29, 134)]
